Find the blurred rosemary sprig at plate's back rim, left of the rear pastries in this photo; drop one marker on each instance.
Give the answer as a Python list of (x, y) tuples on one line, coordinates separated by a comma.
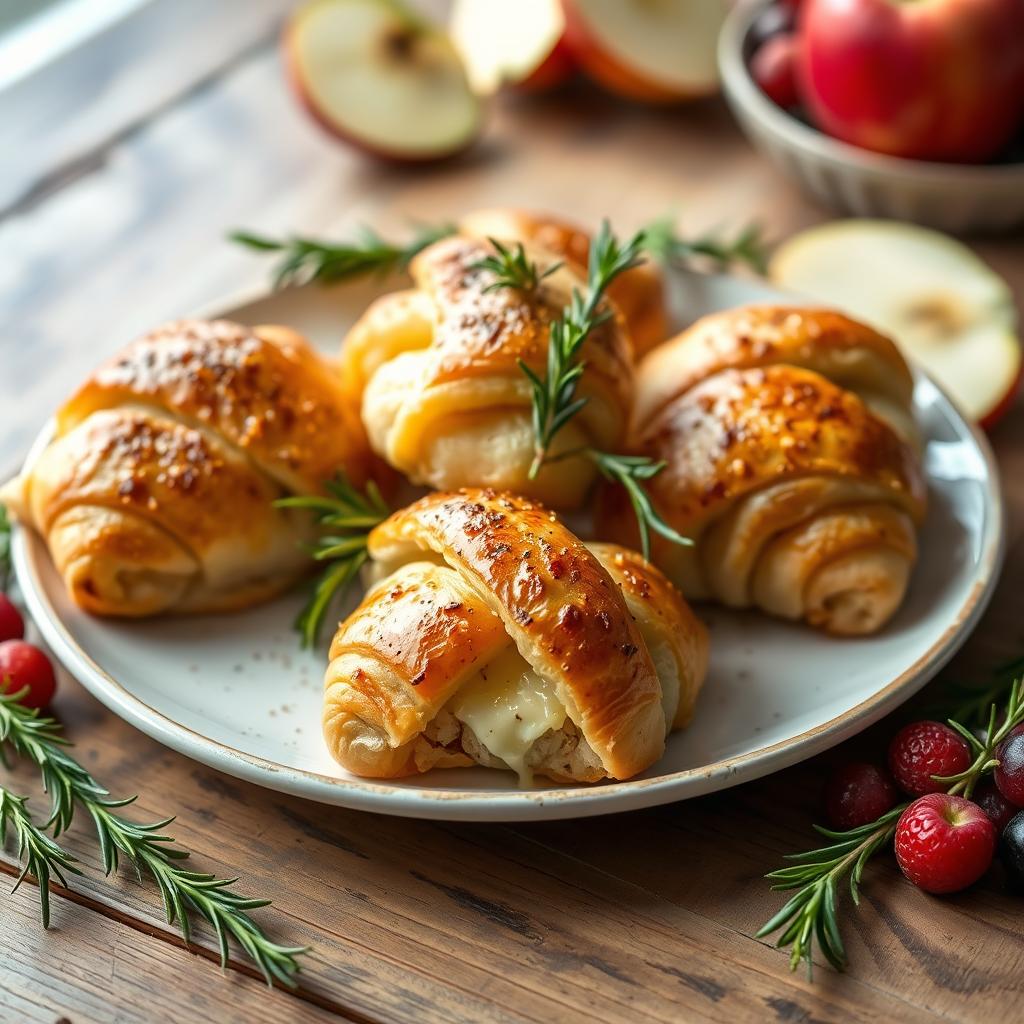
[(307, 260)]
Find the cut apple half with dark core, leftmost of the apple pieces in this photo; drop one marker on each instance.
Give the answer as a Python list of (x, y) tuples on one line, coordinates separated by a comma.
[(381, 78)]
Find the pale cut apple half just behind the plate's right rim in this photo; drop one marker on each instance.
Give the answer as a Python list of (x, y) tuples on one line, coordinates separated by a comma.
[(948, 311)]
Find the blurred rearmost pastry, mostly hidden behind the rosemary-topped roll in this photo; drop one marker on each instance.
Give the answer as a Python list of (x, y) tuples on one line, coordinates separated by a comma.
[(639, 293)]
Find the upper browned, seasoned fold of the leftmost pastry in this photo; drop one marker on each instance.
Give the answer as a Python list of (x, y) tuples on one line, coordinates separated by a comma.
[(264, 390)]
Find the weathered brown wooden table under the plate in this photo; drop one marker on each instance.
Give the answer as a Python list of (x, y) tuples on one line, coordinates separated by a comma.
[(645, 917)]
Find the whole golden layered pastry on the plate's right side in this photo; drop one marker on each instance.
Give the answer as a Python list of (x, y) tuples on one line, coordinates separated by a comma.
[(802, 493)]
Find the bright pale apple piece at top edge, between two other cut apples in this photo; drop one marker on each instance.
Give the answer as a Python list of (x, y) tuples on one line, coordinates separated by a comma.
[(519, 44)]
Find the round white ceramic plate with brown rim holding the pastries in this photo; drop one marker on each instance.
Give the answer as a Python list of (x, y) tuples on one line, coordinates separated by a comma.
[(236, 693)]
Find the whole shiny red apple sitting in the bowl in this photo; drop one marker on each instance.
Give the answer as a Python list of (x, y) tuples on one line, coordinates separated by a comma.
[(927, 80)]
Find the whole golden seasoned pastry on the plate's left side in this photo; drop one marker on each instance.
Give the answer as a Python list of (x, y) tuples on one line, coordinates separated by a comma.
[(156, 494)]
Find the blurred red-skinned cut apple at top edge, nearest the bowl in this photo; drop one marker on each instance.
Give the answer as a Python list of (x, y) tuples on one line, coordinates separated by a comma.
[(655, 51)]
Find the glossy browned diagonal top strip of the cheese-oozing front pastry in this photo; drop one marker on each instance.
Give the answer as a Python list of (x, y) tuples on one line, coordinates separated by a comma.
[(559, 604)]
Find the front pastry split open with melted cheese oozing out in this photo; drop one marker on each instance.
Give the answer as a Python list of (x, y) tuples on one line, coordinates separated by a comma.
[(496, 637)]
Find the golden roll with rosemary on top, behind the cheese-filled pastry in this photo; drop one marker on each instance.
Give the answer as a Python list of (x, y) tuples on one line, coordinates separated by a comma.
[(444, 398)]
